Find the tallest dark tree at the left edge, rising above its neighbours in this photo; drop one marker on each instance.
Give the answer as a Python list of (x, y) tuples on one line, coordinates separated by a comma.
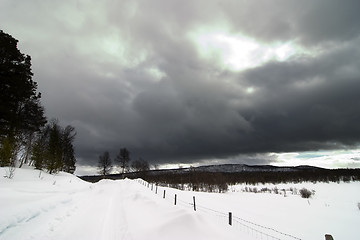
[(21, 113)]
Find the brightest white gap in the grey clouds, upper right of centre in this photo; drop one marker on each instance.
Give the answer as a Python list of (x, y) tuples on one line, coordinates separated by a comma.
[(237, 52)]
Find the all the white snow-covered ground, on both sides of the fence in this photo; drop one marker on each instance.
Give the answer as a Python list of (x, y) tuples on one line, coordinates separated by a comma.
[(36, 205)]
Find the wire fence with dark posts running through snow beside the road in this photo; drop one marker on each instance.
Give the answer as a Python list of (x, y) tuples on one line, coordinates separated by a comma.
[(256, 230)]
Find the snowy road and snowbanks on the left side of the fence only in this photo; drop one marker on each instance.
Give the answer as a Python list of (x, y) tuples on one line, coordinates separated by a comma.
[(64, 207)]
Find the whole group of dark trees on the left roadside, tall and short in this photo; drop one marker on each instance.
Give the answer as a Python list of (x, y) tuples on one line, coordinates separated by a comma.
[(26, 137)]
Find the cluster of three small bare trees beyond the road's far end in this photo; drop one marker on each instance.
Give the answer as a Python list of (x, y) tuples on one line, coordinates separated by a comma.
[(123, 159)]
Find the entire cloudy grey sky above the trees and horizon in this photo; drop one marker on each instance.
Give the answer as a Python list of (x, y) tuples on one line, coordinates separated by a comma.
[(198, 82)]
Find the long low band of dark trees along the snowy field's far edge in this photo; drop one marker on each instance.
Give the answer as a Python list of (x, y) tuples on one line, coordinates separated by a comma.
[(218, 181)]
